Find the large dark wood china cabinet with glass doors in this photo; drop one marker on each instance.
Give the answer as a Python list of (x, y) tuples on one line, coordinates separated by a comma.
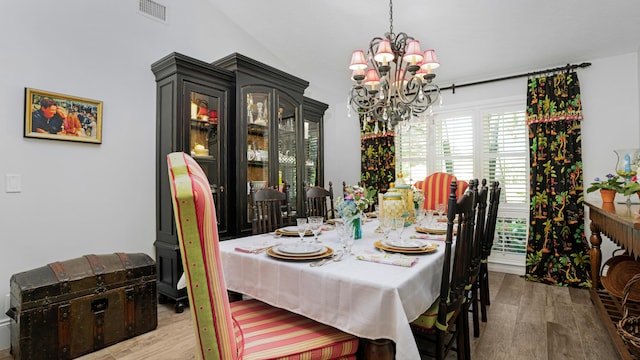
[(245, 123)]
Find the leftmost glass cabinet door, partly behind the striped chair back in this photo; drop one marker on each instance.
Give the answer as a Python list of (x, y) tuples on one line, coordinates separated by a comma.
[(204, 116)]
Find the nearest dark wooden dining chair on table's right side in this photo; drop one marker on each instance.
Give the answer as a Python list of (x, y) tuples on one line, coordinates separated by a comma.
[(446, 322)]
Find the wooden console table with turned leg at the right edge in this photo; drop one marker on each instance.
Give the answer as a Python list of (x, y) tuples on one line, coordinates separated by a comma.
[(621, 224)]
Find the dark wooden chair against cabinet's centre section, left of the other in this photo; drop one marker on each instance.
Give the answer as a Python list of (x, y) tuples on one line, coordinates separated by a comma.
[(270, 209)]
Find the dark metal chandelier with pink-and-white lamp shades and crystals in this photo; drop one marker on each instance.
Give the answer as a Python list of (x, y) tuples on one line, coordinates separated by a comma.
[(394, 81)]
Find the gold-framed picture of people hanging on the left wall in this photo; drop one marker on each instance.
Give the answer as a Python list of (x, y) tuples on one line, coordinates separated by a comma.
[(62, 117)]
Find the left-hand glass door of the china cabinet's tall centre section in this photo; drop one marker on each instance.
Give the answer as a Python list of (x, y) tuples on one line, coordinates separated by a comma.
[(257, 117)]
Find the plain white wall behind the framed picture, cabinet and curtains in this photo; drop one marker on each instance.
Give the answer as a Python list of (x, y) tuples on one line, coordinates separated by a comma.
[(82, 198)]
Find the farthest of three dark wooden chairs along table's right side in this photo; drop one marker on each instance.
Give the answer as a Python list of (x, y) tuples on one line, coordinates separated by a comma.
[(487, 245)]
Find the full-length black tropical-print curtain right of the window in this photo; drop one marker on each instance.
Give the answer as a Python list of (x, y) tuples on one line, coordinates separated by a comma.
[(557, 250)]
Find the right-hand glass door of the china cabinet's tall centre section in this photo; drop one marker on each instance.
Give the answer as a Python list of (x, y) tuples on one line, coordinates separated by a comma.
[(287, 148)]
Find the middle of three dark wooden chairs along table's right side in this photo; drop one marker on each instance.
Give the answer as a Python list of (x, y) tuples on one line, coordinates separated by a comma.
[(476, 254)]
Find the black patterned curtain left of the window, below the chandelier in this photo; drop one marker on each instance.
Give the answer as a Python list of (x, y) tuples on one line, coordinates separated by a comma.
[(378, 158)]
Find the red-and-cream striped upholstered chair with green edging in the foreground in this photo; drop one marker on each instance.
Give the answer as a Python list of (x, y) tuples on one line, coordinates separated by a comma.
[(247, 329)]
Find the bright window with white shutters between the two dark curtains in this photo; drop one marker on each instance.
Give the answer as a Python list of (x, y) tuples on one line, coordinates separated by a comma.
[(488, 141)]
